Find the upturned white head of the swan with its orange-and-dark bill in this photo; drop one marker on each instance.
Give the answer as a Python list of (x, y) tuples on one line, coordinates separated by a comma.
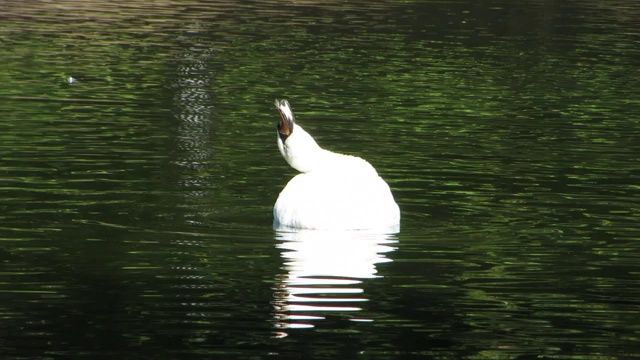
[(296, 145)]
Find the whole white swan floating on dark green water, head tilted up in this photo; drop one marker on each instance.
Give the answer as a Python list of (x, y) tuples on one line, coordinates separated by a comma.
[(333, 191)]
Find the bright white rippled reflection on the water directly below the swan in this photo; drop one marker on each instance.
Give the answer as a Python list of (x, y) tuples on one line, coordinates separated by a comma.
[(324, 274)]
